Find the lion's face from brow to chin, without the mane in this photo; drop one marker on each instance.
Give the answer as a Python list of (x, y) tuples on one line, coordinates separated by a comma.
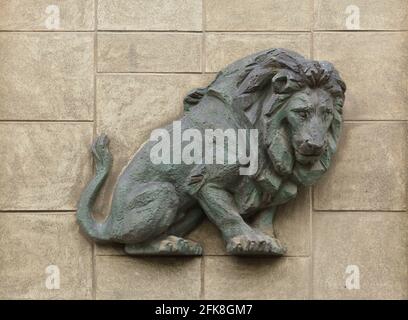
[(309, 114)]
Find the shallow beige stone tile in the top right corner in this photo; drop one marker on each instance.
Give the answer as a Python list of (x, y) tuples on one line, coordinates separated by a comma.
[(374, 14)]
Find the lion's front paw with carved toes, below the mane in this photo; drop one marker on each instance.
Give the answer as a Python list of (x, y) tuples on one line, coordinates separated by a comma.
[(255, 245)]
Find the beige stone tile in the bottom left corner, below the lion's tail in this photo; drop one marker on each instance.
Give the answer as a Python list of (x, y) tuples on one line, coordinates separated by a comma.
[(30, 243)]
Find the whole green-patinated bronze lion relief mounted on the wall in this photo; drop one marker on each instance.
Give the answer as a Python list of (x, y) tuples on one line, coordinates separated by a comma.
[(296, 106)]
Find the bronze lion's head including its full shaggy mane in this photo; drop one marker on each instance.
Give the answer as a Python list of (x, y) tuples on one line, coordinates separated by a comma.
[(295, 102)]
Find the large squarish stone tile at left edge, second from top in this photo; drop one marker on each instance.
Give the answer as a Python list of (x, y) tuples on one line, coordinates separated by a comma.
[(46, 76)]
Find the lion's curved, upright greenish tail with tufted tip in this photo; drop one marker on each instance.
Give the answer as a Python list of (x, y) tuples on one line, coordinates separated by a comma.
[(103, 159)]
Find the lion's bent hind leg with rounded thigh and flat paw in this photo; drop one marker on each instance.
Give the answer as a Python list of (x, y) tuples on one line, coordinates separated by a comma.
[(151, 225)]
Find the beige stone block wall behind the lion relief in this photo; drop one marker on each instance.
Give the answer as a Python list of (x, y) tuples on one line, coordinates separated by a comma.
[(122, 67)]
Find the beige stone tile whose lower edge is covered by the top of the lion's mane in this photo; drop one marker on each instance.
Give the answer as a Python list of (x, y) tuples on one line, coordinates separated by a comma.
[(225, 48)]
